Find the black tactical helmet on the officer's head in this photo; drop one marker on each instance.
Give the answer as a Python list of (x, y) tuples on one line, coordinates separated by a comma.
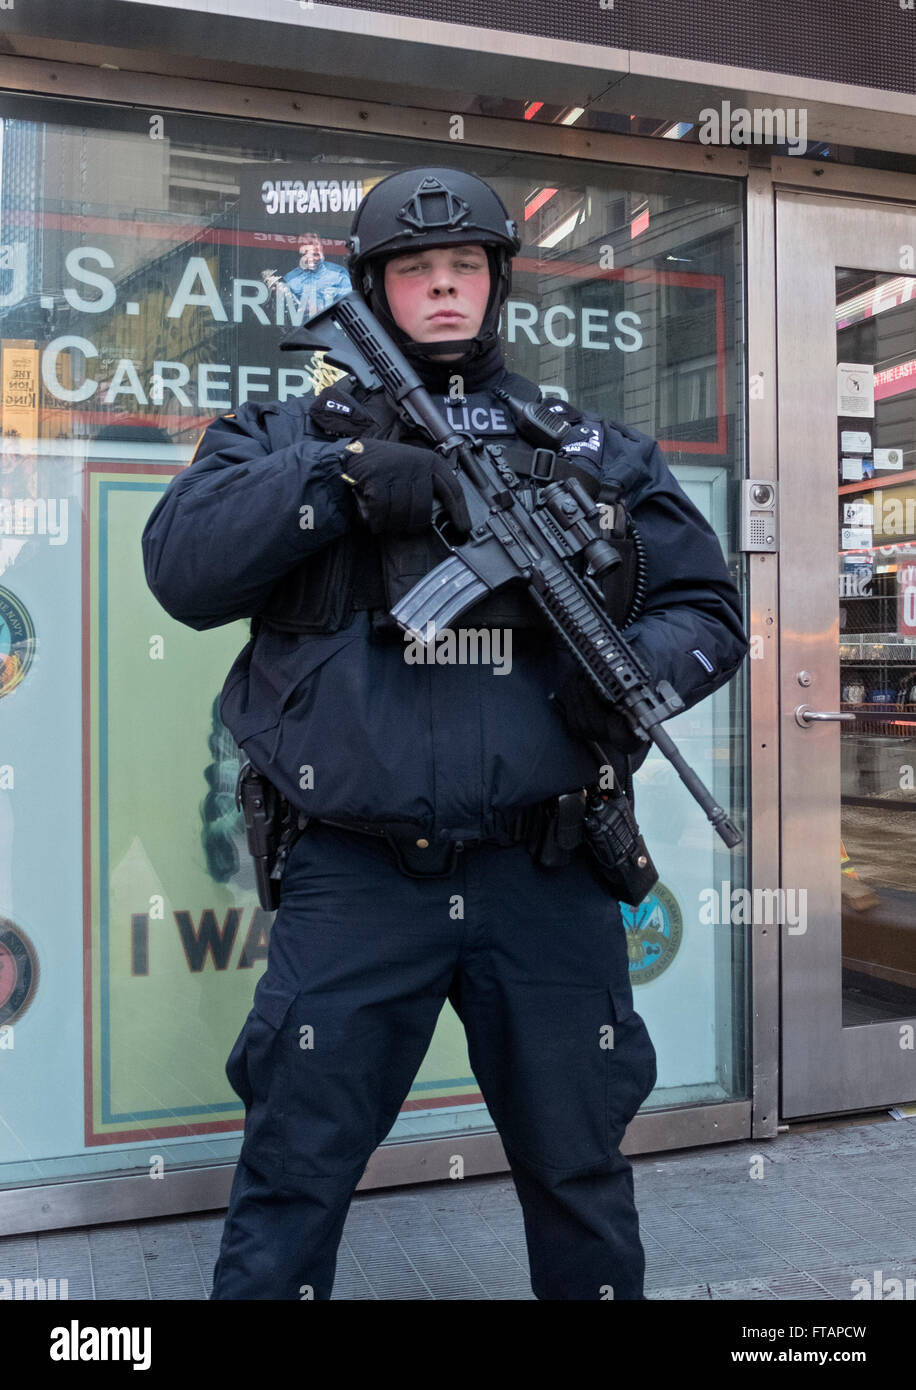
[(433, 208)]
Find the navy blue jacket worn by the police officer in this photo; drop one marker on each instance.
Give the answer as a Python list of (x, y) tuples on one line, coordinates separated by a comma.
[(344, 726)]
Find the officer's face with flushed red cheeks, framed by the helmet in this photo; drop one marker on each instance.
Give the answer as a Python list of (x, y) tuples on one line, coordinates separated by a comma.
[(439, 294)]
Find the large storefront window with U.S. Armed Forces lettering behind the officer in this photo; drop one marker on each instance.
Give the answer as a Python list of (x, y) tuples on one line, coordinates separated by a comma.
[(149, 268)]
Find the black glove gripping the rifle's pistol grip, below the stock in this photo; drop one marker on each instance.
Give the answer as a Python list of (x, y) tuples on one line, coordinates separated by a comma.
[(397, 484)]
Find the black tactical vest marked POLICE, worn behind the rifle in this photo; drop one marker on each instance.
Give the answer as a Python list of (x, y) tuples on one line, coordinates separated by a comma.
[(365, 572)]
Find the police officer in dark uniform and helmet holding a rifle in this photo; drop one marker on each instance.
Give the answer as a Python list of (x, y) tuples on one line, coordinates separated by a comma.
[(429, 792)]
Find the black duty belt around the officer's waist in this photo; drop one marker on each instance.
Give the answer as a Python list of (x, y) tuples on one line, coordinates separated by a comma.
[(550, 831)]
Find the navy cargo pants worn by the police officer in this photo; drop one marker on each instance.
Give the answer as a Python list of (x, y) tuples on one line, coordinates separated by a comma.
[(361, 963)]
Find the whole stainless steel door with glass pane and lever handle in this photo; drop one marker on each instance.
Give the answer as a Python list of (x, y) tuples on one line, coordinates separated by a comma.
[(847, 430)]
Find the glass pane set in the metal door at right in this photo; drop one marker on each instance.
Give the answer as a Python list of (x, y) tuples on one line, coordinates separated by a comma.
[(876, 500)]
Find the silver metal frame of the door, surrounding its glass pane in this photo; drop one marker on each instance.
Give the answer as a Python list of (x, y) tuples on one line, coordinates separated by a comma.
[(826, 1068)]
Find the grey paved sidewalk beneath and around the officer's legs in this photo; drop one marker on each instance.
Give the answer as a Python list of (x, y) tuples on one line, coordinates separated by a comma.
[(833, 1202)]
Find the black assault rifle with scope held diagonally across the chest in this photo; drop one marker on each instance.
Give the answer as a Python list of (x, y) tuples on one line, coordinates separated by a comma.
[(508, 541)]
